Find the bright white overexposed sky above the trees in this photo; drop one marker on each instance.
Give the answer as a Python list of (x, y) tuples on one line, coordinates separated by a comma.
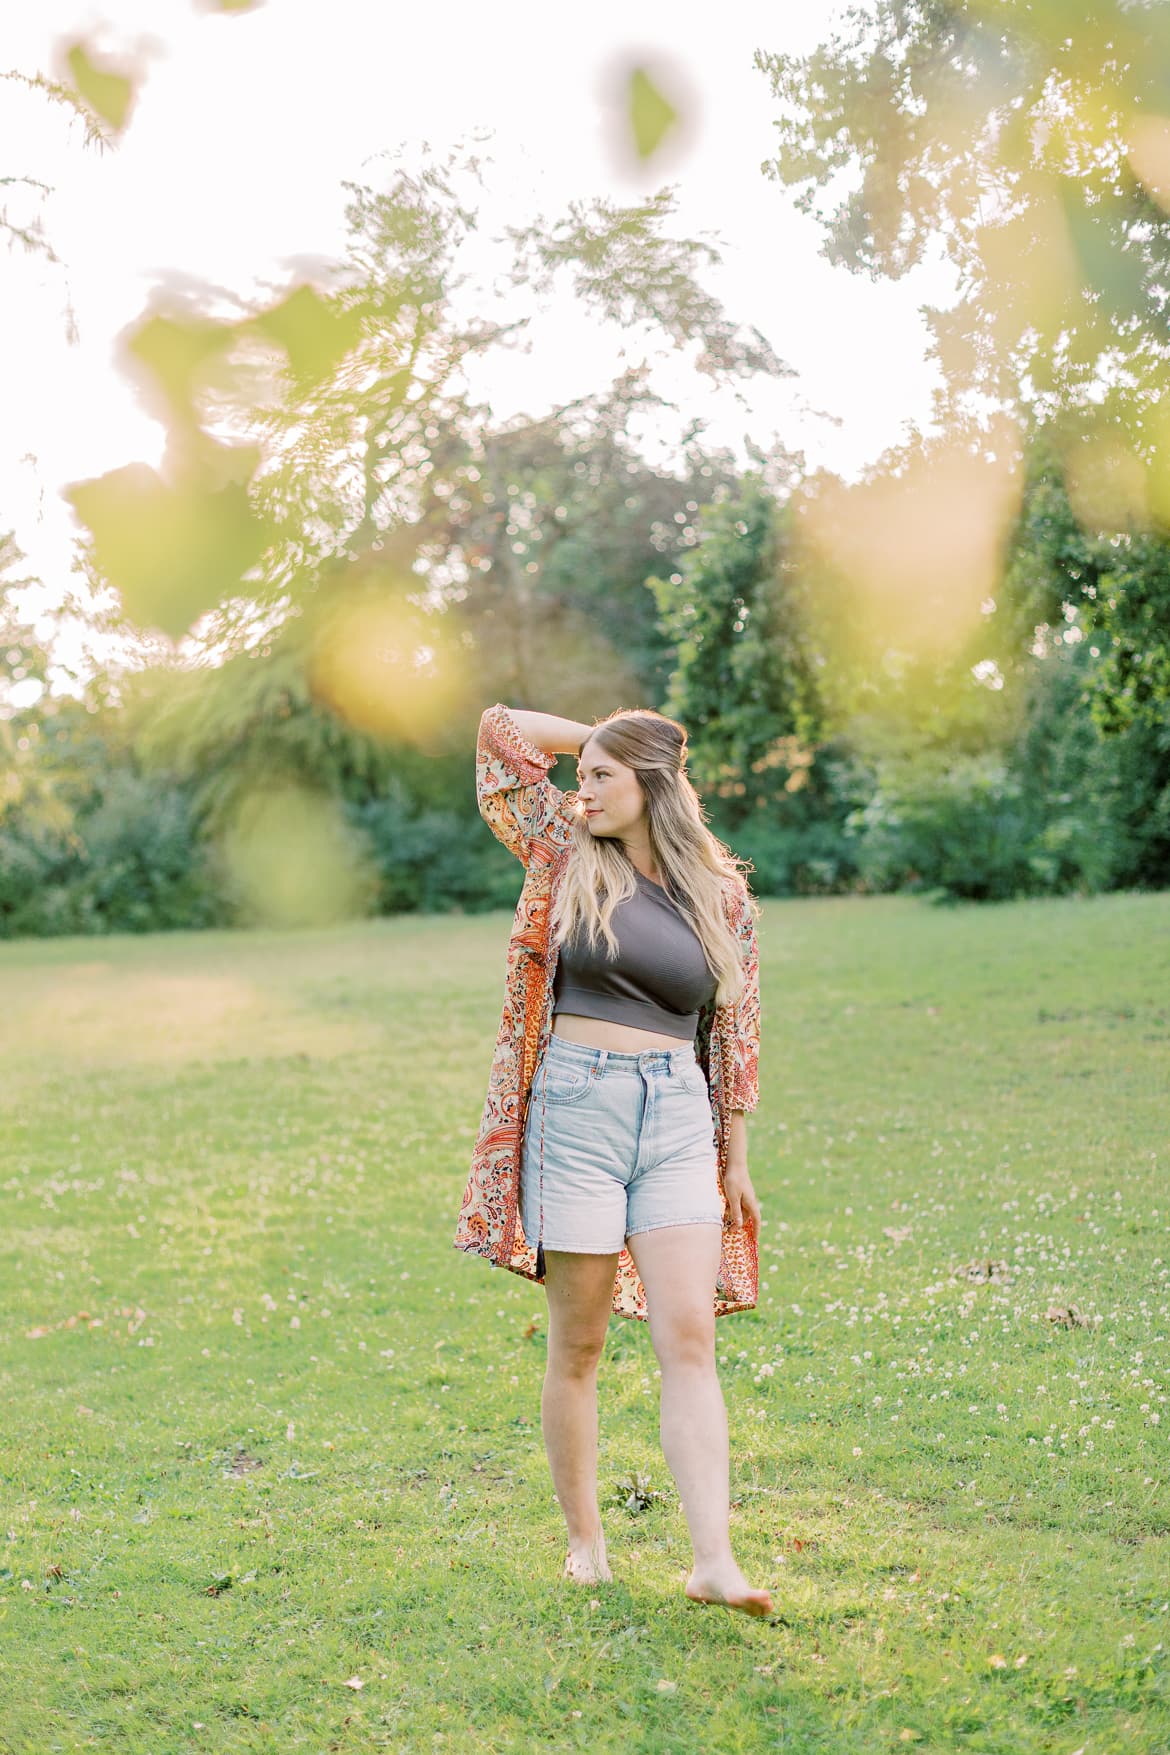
[(231, 175)]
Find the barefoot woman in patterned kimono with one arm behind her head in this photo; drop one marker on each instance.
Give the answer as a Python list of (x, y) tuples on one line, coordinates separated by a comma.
[(611, 1159)]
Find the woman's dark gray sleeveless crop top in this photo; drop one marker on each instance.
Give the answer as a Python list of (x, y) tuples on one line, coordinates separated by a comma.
[(660, 978)]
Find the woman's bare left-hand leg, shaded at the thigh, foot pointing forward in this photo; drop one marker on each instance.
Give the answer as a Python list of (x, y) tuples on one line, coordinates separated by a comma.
[(580, 1291)]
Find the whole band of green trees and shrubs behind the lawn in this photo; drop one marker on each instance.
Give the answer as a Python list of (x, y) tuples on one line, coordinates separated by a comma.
[(904, 682)]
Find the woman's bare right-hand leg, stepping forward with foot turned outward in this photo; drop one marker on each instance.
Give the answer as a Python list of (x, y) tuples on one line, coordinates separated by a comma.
[(678, 1266)]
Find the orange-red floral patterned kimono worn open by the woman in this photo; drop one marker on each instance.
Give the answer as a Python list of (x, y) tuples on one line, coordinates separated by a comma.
[(534, 819)]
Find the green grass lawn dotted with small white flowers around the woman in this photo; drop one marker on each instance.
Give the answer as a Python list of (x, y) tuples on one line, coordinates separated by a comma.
[(271, 1466)]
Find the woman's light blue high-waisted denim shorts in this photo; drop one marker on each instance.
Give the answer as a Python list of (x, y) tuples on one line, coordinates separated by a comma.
[(629, 1145)]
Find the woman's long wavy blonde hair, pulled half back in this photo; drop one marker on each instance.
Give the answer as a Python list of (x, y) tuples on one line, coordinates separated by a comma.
[(696, 864)]
